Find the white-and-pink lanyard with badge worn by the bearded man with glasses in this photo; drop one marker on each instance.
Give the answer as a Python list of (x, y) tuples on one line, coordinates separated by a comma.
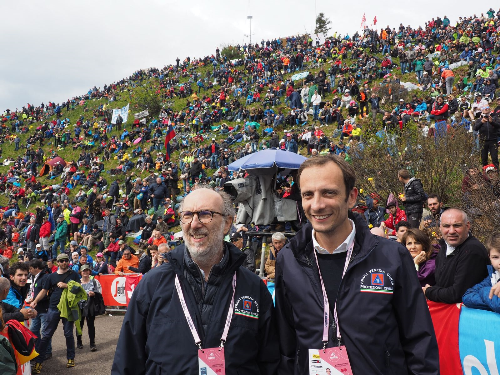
[(211, 361)]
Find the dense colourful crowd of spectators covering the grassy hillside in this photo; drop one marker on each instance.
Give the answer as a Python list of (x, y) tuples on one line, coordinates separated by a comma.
[(438, 76)]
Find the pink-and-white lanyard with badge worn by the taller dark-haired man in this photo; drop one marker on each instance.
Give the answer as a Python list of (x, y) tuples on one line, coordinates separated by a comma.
[(330, 361)]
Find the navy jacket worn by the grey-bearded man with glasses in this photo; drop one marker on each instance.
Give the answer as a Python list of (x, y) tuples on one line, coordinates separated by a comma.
[(155, 337)]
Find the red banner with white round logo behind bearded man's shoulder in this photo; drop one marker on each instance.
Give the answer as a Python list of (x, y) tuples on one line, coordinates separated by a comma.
[(117, 290)]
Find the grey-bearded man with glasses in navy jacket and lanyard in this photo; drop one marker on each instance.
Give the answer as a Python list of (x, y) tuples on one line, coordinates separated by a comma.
[(182, 314)]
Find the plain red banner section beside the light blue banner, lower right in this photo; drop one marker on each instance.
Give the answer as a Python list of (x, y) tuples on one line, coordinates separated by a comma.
[(445, 318)]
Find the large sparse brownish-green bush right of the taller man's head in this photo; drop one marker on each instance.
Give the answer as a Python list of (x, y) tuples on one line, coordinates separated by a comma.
[(441, 164)]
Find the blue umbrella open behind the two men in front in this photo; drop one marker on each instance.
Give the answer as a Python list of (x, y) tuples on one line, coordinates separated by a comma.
[(268, 159)]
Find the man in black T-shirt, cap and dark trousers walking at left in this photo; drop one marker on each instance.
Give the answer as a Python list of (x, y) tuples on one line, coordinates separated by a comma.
[(56, 283)]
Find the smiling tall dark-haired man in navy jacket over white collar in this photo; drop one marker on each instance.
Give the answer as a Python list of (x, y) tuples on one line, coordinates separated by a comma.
[(383, 317)]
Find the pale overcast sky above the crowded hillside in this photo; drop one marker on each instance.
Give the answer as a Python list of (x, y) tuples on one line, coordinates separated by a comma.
[(55, 49)]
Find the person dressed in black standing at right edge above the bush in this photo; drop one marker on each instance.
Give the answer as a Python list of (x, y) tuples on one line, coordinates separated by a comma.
[(488, 128)]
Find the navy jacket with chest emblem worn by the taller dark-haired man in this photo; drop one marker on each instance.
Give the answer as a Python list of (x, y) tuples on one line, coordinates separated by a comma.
[(386, 328)]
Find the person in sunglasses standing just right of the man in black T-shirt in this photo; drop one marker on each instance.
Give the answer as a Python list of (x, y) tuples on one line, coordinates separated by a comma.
[(92, 287)]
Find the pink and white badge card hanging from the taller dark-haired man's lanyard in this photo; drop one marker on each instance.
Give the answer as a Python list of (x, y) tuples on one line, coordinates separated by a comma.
[(329, 361)]
